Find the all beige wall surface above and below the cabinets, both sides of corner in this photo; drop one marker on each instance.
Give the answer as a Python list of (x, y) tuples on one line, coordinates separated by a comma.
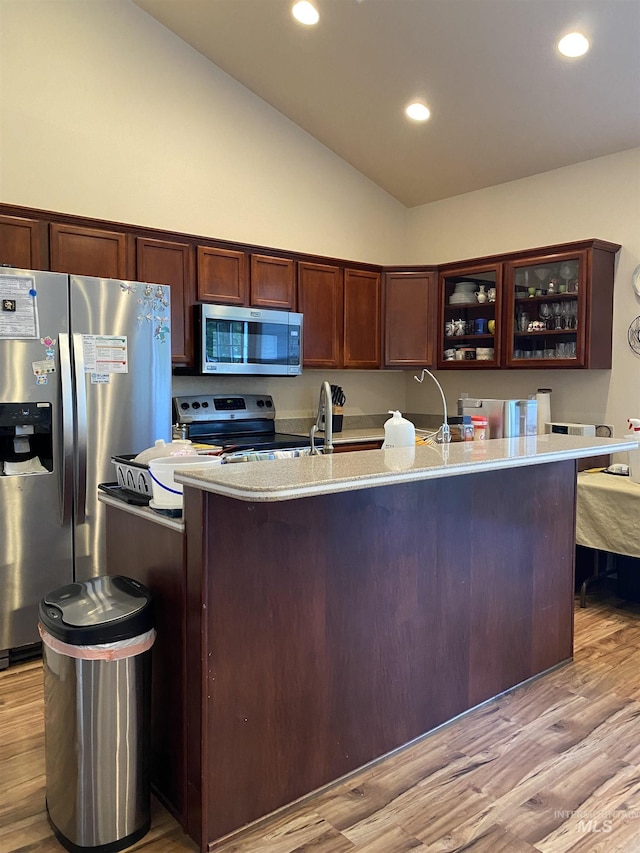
[(104, 113)]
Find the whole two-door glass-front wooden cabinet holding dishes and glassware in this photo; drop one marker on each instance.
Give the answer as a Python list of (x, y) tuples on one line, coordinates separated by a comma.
[(548, 307)]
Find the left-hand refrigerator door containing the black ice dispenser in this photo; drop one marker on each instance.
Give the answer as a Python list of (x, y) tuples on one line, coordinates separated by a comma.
[(36, 544)]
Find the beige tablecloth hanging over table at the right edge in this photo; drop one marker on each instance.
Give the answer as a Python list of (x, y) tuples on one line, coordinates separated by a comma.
[(608, 513)]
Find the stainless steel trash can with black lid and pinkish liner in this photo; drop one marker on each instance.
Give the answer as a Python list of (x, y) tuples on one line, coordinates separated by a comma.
[(96, 646)]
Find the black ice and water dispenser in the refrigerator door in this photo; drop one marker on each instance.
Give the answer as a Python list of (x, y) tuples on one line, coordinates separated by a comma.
[(26, 439)]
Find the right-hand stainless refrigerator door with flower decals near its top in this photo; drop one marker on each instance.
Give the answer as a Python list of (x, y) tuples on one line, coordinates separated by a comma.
[(122, 380)]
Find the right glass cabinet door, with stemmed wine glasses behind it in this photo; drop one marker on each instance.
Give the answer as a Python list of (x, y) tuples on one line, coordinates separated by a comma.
[(545, 314)]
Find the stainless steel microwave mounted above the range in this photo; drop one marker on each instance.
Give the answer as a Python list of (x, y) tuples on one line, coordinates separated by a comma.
[(248, 341)]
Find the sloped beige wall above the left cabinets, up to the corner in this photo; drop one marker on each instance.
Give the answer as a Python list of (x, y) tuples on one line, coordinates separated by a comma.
[(105, 113)]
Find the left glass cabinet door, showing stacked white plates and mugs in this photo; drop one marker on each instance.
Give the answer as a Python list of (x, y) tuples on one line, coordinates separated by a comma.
[(470, 331)]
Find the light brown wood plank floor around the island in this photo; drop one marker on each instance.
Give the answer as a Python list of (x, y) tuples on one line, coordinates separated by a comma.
[(553, 766)]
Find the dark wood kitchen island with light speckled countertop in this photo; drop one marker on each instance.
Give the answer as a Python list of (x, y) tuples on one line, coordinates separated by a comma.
[(329, 610)]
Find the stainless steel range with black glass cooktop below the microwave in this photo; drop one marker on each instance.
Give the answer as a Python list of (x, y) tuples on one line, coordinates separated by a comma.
[(235, 421)]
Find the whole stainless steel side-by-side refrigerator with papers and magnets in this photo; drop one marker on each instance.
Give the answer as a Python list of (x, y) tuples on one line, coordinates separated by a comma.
[(85, 374)]
